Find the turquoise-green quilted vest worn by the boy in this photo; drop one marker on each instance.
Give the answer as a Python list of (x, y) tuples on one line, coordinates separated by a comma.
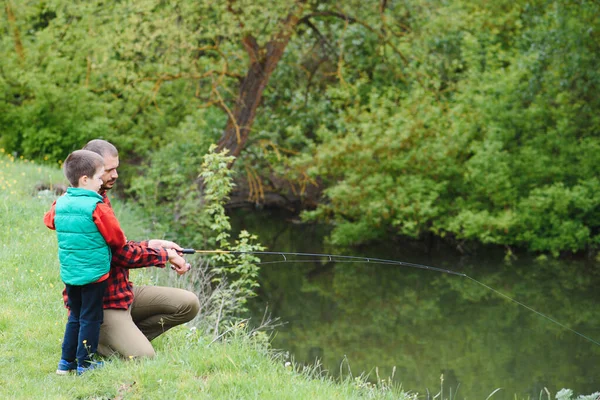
[(82, 251)]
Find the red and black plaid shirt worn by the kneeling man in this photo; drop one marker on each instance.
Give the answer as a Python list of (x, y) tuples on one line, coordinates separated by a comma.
[(119, 293)]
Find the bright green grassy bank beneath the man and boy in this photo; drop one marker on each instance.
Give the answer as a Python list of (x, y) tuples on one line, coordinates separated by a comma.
[(187, 365)]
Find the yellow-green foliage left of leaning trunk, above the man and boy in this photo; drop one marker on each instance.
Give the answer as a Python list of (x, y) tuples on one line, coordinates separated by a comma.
[(125, 72)]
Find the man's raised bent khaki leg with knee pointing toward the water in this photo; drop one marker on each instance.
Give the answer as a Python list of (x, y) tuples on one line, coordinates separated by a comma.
[(156, 309)]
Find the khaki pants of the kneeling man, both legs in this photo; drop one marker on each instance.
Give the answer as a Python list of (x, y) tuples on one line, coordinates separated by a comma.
[(154, 310)]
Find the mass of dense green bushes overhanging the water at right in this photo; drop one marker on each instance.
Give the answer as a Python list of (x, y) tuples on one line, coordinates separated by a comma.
[(491, 142)]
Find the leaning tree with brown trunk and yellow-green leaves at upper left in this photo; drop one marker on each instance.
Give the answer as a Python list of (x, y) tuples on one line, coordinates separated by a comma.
[(215, 54)]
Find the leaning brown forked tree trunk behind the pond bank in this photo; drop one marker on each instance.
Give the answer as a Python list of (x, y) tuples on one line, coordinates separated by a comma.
[(262, 64)]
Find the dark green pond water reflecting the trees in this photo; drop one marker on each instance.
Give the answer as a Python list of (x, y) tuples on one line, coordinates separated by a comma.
[(361, 316)]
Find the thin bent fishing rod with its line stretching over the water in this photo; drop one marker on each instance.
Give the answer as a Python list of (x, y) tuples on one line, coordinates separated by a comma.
[(370, 260)]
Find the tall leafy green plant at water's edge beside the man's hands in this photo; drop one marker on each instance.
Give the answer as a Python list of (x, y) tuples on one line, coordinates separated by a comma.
[(226, 280)]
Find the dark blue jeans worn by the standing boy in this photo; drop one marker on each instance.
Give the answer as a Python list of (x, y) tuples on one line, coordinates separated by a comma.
[(83, 326)]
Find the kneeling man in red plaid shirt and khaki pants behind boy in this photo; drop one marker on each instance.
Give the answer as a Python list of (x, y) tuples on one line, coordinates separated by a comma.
[(133, 315)]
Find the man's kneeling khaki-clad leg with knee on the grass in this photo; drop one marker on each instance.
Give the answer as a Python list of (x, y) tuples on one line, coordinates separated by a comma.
[(120, 335)]
